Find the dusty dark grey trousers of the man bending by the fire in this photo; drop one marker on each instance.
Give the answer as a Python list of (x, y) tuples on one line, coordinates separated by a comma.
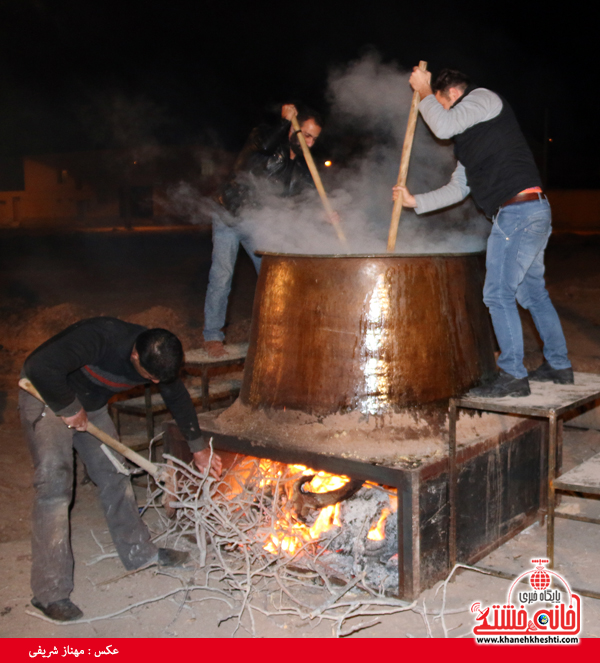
[(51, 445)]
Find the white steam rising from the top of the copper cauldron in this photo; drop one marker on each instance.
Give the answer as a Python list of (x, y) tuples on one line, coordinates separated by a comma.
[(369, 102)]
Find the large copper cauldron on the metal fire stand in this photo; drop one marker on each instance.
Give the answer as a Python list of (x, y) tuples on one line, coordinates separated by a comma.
[(369, 333)]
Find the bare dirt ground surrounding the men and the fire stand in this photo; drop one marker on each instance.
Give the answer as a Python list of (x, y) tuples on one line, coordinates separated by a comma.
[(159, 278)]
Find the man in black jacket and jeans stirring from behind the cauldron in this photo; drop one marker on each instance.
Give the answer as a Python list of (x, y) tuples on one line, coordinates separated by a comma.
[(272, 154)]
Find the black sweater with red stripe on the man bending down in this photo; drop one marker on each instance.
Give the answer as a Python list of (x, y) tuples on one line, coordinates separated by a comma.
[(89, 362)]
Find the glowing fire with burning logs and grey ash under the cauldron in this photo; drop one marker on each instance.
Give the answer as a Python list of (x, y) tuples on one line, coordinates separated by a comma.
[(344, 522)]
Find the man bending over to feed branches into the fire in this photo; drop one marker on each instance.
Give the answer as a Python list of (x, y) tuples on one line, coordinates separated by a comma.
[(76, 372)]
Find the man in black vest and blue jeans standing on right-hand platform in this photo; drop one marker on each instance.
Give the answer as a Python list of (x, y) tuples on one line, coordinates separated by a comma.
[(496, 167)]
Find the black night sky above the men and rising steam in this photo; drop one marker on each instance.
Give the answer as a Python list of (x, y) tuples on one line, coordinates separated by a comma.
[(91, 74)]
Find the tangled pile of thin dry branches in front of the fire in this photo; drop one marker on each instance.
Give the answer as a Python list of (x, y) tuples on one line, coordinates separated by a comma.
[(235, 522)]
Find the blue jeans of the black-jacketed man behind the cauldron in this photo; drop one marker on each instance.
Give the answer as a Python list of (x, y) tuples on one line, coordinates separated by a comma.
[(226, 243)]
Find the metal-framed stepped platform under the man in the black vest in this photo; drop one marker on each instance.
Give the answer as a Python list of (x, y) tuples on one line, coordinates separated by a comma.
[(547, 401)]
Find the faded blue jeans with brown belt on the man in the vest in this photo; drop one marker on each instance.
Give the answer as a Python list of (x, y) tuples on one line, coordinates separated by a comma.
[(515, 273)]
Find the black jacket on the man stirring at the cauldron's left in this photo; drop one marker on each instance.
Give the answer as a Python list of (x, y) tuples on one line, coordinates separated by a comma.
[(266, 154)]
